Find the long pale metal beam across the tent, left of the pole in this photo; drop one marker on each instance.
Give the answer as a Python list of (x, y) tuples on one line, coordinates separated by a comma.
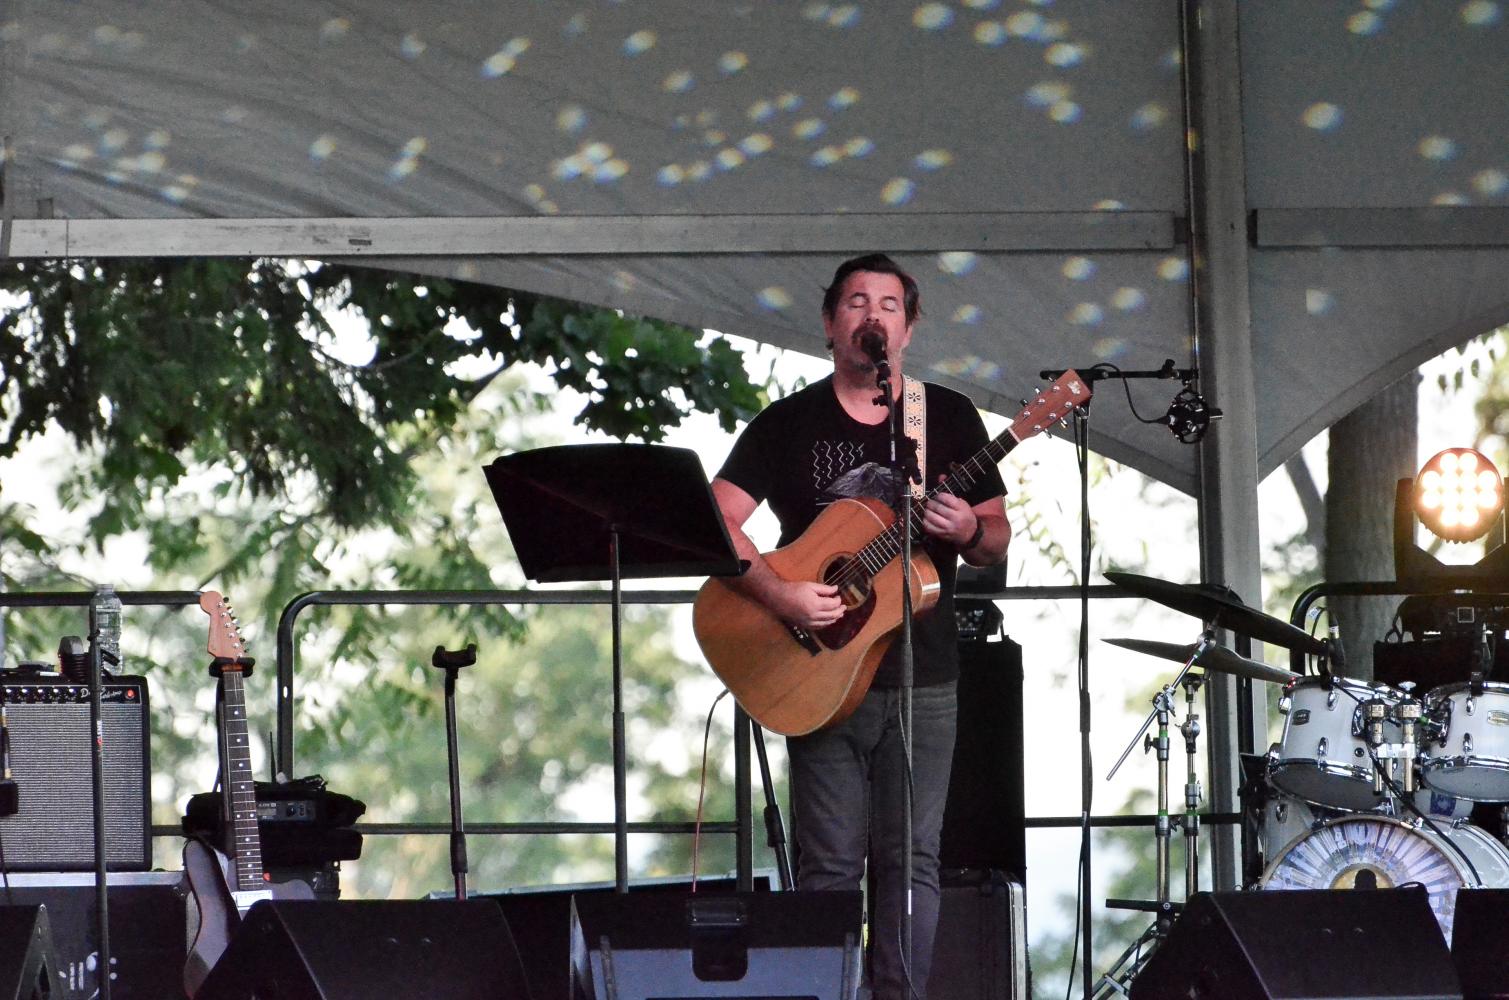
[(568, 236)]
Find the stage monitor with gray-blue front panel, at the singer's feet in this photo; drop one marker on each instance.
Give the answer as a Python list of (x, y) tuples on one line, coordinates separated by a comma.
[(740, 946)]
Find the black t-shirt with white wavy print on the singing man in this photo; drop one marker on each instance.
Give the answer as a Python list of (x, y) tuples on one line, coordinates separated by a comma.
[(805, 452)]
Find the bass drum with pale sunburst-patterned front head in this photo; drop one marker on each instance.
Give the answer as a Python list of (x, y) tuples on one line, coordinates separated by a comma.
[(1383, 853)]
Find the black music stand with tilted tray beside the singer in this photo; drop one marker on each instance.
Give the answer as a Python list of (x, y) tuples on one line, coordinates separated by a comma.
[(612, 512)]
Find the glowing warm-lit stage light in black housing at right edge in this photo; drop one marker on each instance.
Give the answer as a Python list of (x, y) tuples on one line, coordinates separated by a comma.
[(1460, 497)]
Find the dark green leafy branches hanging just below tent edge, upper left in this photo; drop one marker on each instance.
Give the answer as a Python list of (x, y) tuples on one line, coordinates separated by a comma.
[(165, 364)]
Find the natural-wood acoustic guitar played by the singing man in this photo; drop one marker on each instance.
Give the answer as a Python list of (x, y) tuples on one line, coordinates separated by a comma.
[(794, 681)]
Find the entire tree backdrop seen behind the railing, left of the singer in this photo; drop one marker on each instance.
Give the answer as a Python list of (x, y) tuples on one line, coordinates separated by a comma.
[(218, 419)]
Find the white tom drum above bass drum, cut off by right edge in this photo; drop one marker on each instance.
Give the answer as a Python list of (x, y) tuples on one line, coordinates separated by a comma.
[(1471, 756)]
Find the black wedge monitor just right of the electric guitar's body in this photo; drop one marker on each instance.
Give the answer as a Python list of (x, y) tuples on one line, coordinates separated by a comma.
[(370, 951)]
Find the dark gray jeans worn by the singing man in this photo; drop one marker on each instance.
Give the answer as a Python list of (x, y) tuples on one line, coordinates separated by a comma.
[(846, 790)]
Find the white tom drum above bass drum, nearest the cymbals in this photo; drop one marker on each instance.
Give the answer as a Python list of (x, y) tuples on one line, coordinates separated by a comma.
[(1323, 756)]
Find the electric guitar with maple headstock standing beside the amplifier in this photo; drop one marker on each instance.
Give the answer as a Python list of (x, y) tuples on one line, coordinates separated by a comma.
[(224, 888)]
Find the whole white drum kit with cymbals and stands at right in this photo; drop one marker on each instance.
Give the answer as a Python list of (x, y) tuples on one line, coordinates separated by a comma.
[(1369, 787)]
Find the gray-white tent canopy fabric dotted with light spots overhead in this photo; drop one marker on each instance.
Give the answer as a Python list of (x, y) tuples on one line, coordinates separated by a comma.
[(959, 121)]
